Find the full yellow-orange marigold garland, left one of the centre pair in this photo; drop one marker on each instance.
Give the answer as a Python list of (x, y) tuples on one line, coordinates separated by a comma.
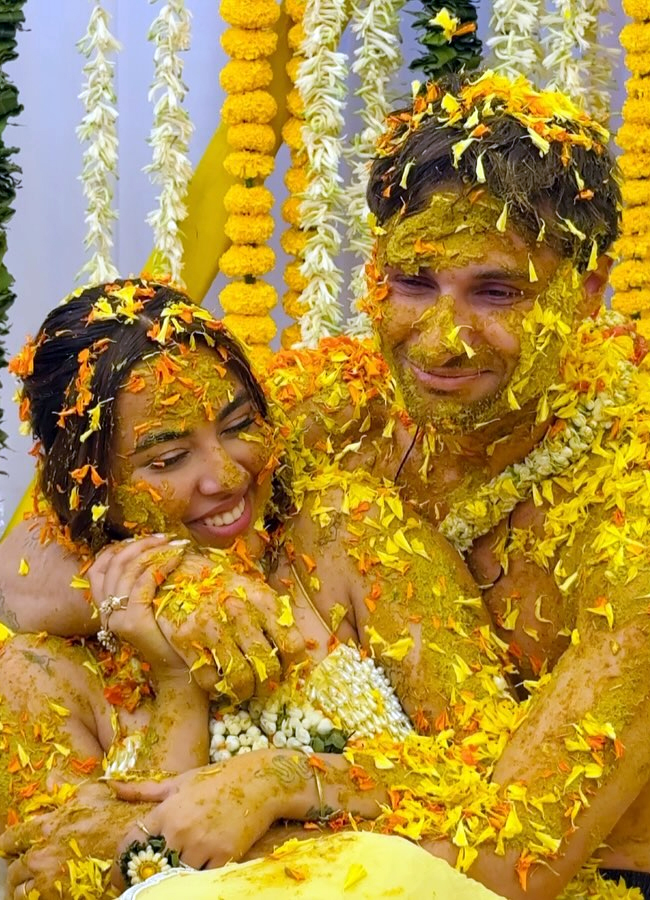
[(248, 109)]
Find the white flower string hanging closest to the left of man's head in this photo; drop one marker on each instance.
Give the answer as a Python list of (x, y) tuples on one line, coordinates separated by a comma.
[(376, 23)]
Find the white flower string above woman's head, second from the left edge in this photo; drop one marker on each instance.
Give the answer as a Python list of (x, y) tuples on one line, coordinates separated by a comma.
[(170, 135)]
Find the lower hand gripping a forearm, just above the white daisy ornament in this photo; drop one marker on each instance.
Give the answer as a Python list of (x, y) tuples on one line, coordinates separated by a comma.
[(213, 814)]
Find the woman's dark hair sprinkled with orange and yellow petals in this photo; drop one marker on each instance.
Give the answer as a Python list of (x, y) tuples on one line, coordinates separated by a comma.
[(82, 357)]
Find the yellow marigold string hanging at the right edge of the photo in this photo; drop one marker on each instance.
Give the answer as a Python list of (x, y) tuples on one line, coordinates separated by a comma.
[(631, 277)]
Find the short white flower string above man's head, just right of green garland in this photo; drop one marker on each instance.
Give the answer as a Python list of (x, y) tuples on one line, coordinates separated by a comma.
[(515, 44)]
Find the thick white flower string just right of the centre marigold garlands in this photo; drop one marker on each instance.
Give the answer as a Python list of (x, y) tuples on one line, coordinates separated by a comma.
[(321, 83)]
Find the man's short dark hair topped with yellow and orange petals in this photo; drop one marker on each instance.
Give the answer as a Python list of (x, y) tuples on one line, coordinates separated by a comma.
[(572, 189)]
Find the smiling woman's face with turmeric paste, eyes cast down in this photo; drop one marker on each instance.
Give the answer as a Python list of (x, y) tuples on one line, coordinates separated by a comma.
[(190, 452)]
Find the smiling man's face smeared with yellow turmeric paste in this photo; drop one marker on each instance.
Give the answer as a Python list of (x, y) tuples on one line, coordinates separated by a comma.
[(462, 325)]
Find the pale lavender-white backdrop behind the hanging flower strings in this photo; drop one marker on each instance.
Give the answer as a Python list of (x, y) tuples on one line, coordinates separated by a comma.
[(46, 233)]
